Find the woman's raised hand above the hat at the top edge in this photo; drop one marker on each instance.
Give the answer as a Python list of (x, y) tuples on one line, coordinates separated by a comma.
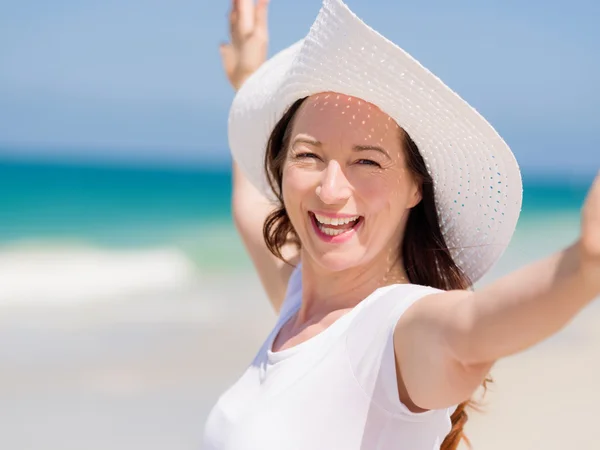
[(249, 40)]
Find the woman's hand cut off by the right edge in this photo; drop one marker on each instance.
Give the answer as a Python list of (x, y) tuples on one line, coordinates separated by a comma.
[(590, 232)]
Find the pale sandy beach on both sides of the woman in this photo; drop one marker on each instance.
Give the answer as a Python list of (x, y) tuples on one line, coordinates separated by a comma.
[(144, 372)]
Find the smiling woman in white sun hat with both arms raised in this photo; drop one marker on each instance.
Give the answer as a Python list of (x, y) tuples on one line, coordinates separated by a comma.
[(389, 197)]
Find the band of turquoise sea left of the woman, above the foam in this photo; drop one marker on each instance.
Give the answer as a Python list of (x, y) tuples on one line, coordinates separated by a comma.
[(108, 204)]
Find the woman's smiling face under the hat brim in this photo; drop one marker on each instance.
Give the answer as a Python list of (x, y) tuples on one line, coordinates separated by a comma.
[(346, 187)]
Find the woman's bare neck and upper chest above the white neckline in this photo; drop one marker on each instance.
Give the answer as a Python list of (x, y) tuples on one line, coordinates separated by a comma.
[(325, 291)]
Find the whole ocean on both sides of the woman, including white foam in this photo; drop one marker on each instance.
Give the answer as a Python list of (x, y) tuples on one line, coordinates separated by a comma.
[(174, 223)]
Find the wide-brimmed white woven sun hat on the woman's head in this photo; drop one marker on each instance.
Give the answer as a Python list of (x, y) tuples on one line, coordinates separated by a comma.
[(477, 182)]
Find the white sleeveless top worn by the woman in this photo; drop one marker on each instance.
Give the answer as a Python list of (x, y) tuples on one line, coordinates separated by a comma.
[(335, 391)]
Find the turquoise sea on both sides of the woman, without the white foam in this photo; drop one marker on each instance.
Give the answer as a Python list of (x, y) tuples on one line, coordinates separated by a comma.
[(185, 207)]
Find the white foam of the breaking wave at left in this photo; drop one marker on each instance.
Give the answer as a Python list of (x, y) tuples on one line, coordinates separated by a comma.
[(38, 275)]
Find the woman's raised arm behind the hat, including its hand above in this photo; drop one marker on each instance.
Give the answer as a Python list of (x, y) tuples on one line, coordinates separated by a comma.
[(241, 57)]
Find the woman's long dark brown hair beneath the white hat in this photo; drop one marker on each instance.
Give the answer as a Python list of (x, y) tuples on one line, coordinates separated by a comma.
[(426, 257)]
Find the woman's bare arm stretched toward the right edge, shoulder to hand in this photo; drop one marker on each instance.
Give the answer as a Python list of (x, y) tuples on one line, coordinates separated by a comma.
[(446, 343)]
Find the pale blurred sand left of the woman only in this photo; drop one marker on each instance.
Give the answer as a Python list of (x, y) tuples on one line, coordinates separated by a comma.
[(127, 374)]
